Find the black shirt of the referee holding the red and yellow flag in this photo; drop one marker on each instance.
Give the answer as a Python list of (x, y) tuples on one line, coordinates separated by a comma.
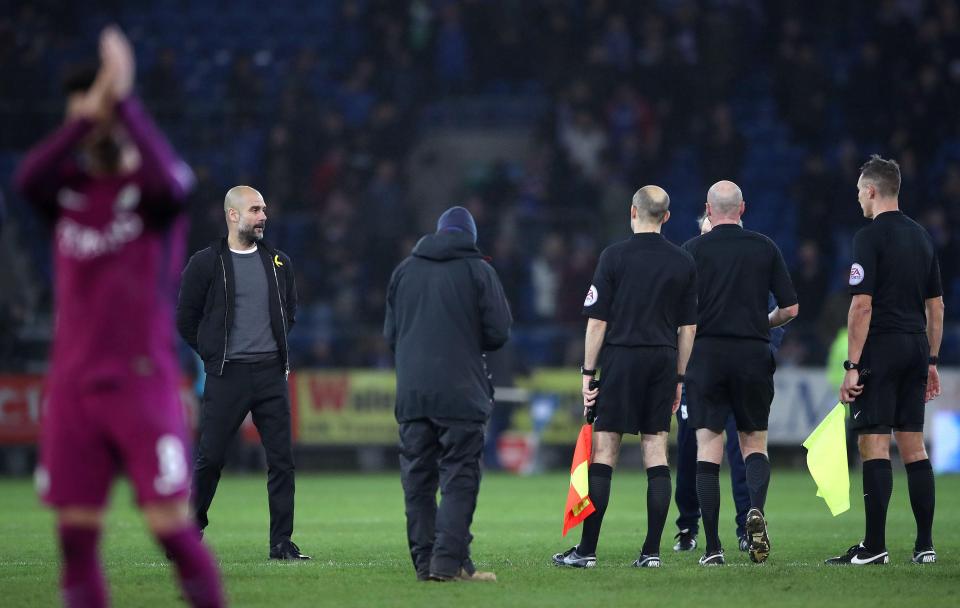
[(645, 288)]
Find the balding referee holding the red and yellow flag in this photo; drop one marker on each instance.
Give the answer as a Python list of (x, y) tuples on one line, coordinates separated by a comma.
[(642, 309)]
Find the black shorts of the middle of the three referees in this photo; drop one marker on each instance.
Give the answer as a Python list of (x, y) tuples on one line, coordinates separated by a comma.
[(730, 375)]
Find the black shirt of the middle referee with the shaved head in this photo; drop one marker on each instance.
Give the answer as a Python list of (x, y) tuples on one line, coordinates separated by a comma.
[(737, 269)]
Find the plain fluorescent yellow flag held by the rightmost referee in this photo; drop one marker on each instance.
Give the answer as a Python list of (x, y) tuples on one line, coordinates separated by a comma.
[(827, 460)]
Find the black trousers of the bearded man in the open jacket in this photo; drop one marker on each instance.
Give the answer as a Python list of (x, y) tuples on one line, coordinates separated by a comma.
[(259, 388)]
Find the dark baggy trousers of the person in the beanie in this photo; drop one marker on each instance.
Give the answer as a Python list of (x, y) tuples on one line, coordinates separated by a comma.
[(442, 453)]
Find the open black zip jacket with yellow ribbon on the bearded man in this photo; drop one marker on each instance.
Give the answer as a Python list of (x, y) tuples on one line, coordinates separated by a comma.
[(207, 299)]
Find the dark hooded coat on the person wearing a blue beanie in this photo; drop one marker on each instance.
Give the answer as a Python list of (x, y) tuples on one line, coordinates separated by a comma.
[(445, 307)]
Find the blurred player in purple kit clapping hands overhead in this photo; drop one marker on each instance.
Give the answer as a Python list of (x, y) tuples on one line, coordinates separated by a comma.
[(114, 191)]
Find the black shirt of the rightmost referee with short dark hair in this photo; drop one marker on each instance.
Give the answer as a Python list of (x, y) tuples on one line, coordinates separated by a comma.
[(894, 261)]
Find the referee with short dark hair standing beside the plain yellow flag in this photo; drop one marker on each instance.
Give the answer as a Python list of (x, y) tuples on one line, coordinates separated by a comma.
[(895, 326)]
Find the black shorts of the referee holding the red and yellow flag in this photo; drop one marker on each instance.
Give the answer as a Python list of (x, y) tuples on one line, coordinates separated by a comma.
[(637, 387)]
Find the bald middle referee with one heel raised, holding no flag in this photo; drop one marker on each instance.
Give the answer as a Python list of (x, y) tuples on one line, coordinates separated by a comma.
[(731, 368)]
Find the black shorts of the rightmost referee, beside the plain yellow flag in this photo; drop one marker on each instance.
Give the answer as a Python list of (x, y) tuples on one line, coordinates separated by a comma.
[(895, 387)]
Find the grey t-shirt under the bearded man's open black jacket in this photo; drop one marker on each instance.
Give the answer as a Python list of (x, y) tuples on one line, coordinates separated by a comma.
[(251, 337)]
